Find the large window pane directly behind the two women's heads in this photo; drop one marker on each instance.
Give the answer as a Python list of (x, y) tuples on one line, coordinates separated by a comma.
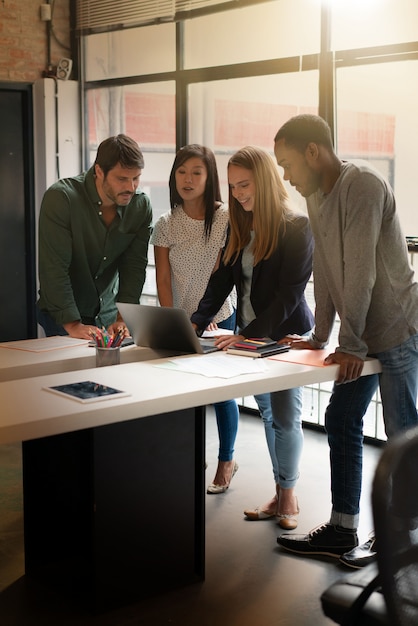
[(226, 115)]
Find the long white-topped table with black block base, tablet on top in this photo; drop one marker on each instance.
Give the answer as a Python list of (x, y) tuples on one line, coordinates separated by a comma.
[(114, 491)]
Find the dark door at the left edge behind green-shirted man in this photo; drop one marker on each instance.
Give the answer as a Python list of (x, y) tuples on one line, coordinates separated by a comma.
[(17, 232)]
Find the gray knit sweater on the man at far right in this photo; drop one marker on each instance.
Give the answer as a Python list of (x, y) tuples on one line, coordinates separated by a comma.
[(361, 267)]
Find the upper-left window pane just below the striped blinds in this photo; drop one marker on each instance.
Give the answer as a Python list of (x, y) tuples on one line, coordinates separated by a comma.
[(130, 52)]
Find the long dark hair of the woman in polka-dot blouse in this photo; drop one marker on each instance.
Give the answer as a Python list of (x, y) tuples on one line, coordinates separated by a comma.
[(212, 193)]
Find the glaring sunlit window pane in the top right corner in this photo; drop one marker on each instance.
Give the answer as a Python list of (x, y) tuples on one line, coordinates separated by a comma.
[(363, 23)]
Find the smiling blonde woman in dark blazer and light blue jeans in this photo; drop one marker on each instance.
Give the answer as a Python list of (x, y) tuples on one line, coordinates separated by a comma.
[(268, 258)]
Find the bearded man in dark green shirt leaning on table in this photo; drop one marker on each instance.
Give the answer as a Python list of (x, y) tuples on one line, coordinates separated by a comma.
[(94, 231)]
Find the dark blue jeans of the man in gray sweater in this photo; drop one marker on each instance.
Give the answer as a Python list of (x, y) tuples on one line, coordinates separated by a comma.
[(398, 384)]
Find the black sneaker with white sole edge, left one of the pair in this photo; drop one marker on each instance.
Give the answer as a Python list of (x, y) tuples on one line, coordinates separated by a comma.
[(327, 539)]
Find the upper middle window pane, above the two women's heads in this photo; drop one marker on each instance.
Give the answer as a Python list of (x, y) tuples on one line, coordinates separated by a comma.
[(265, 31)]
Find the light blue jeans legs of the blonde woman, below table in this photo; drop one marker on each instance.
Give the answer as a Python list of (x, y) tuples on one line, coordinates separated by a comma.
[(281, 412)]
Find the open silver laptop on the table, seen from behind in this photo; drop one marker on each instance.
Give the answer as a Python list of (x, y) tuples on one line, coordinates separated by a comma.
[(163, 328)]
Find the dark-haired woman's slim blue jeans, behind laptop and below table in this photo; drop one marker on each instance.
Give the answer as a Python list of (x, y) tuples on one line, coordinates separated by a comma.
[(227, 414)]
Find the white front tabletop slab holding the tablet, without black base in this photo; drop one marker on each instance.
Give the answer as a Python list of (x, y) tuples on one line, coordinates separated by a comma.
[(29, 412)]
